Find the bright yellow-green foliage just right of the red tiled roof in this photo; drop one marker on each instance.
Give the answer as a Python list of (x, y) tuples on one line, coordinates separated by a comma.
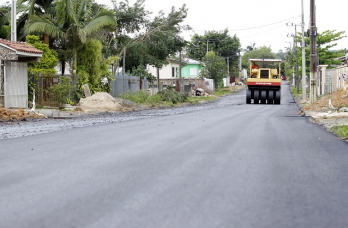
[(48, 60)]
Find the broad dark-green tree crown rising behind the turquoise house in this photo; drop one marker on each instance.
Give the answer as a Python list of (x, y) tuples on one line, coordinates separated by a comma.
[(221, 43)]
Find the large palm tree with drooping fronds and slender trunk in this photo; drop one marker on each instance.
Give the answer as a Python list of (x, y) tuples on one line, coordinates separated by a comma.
[(74, 22)]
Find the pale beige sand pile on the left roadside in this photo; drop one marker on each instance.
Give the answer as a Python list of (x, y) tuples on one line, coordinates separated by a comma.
[(104, 102)]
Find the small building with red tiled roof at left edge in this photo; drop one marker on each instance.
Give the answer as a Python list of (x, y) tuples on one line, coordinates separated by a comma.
[(14, 57)]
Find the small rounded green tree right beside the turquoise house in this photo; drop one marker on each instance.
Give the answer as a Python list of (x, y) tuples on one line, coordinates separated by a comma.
[(214, 68)]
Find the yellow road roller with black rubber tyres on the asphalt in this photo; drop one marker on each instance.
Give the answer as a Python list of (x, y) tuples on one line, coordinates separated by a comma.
[(264, 81)]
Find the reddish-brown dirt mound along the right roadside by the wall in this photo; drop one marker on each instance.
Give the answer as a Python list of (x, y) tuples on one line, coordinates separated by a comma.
[(338, 98)]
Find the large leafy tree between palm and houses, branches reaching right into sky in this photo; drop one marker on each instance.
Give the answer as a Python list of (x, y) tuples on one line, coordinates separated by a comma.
[(160, 39)]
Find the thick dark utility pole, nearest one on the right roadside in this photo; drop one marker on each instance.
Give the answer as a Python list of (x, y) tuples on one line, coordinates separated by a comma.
[(313, 55)]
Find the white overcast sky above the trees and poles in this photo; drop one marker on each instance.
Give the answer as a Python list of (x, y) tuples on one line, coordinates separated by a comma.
[(256, 21)]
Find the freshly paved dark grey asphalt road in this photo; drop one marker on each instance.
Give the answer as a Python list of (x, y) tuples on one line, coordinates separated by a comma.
[(234, 165)]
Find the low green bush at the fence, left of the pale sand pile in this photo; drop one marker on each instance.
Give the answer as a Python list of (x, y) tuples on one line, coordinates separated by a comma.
[(62, 91)]
